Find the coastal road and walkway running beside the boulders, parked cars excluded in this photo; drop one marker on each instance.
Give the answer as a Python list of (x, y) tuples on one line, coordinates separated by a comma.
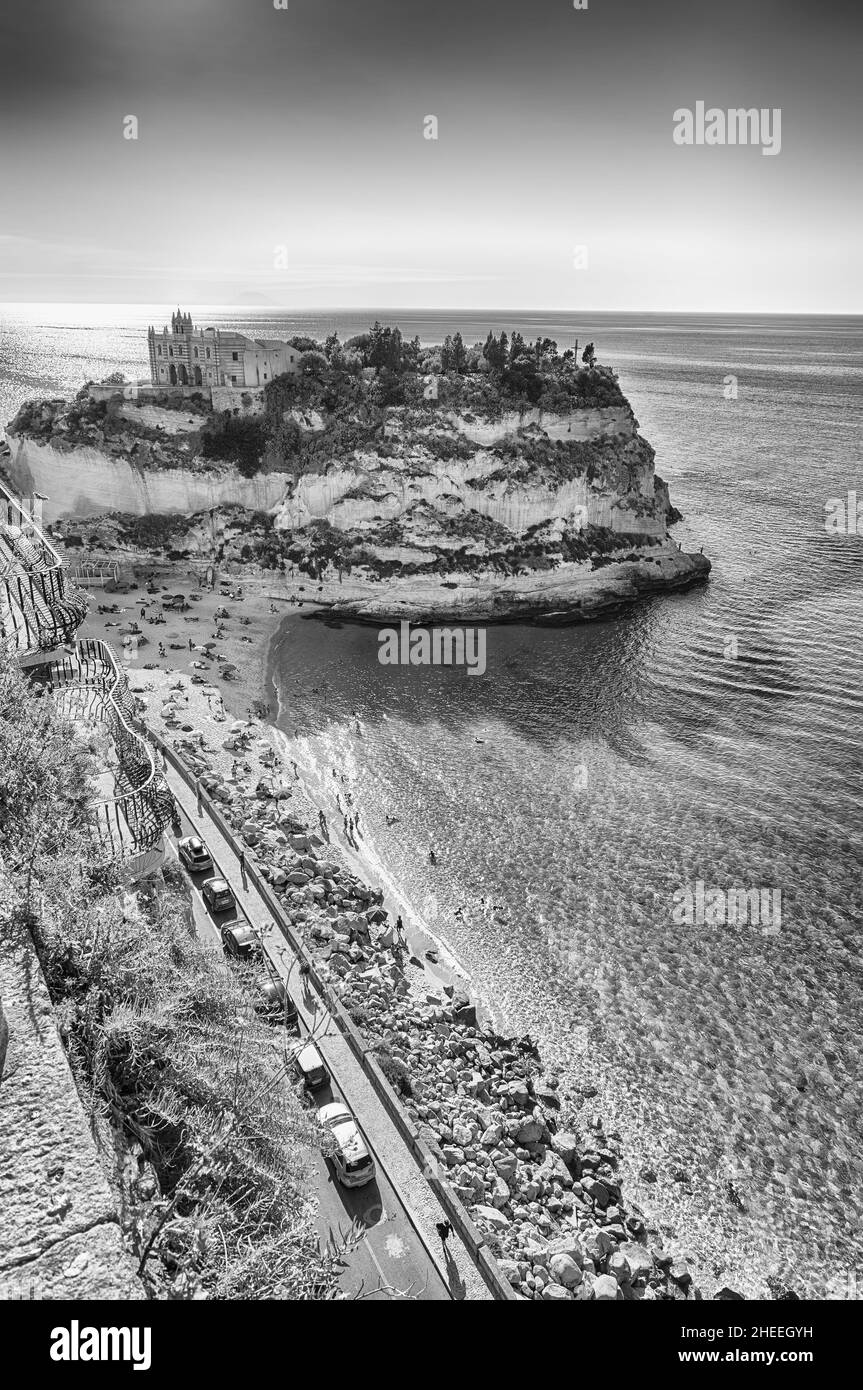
[(393, 1259)]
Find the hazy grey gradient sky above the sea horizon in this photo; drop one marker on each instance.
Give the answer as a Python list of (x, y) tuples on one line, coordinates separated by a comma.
[(299, 136)]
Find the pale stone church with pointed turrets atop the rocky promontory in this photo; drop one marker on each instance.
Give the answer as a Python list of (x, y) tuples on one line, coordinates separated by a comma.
[(190, 357)]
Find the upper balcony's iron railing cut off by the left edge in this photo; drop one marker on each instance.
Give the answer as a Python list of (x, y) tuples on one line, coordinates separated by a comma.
[(40, 608)]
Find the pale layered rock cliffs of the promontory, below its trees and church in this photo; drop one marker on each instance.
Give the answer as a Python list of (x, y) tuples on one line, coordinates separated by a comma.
[(486, 515)]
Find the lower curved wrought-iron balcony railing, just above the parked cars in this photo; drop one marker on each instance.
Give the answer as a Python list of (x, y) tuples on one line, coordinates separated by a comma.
[(91, 686)]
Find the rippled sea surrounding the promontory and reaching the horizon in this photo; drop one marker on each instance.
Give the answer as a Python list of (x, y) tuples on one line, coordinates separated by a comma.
[(595, 772)]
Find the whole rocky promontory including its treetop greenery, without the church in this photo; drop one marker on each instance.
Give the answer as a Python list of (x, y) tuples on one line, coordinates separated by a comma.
[(505, 482)]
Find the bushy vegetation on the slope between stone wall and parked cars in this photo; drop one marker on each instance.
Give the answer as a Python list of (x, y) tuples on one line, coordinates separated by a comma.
[(162, 1039)]
